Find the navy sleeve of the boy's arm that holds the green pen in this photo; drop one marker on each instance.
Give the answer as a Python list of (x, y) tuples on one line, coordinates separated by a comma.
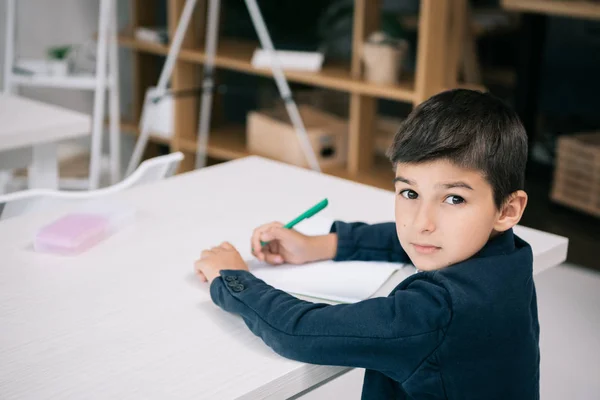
[(364, 242)]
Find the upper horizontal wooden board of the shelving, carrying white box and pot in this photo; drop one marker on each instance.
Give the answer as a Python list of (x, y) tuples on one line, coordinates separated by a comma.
[(236, 56)]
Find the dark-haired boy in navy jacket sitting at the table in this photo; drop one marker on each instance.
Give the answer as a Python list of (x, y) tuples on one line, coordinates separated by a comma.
[(465, 326)]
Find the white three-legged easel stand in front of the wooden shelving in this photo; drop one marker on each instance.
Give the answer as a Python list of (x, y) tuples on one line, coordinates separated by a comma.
[(208, 84)]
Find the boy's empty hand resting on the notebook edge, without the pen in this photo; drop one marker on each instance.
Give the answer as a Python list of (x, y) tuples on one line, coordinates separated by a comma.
[(218, 258)]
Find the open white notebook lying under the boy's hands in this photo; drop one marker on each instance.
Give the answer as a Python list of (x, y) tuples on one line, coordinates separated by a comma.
[(344, 282)]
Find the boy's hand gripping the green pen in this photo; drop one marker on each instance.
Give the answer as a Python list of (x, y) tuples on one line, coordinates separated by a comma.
[(290, 246)]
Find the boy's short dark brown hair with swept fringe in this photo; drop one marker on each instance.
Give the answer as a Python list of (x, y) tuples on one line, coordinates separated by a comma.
[(470, 129)]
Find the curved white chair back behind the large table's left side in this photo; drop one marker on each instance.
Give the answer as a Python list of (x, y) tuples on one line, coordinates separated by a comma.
[(19, 203)]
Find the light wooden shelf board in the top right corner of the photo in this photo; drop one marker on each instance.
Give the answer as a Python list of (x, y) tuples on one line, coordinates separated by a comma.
[(570, 8)]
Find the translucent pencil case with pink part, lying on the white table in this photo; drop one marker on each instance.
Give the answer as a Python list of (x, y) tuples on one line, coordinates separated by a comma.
[(77, 232)]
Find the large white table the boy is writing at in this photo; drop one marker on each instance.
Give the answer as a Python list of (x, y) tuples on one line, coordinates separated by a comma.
[(128, 319)]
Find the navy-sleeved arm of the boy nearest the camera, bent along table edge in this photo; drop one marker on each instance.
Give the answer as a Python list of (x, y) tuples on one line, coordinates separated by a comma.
[(390, 334)]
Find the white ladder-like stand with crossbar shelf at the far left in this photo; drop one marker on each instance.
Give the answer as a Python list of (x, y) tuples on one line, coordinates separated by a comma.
[(106, 52)]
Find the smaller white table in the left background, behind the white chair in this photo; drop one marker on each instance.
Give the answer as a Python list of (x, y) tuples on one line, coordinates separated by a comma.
[(29, 133)]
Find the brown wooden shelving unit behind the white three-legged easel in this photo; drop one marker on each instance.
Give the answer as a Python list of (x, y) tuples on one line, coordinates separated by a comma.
[(436, 71)]
